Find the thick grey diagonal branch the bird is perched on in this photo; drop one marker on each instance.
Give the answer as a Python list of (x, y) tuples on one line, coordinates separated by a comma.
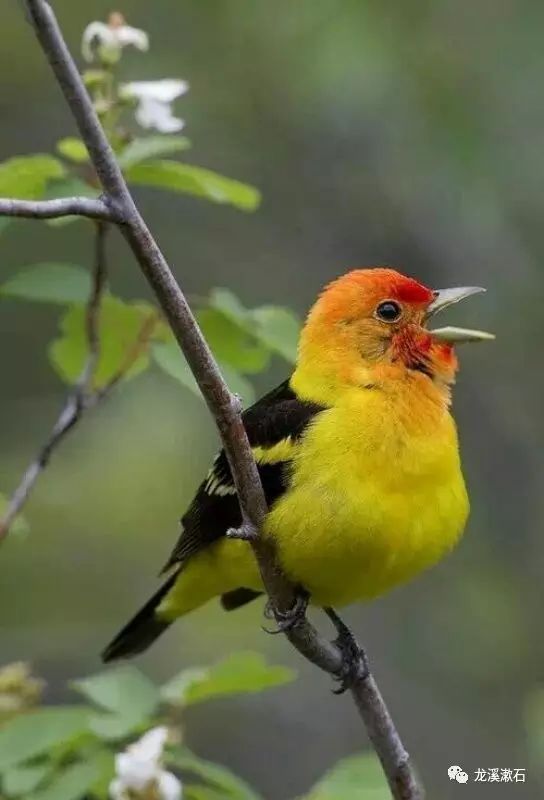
[(224, 406)]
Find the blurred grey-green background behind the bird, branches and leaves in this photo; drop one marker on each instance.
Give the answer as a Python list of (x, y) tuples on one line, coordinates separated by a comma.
[(407, 134)]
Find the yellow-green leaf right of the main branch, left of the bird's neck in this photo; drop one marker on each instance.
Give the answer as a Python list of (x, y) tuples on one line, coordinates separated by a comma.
[(231, 344)]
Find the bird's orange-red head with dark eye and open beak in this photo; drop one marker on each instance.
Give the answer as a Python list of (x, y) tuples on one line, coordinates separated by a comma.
[(372, 324)]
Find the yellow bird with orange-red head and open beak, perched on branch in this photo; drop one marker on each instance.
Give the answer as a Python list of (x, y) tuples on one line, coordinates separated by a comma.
[(358, 456)]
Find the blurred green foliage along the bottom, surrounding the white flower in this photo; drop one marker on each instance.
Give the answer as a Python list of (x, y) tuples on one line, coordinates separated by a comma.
[(67, 752)]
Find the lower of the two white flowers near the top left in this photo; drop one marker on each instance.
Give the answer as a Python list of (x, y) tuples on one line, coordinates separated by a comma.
[(155, 98)]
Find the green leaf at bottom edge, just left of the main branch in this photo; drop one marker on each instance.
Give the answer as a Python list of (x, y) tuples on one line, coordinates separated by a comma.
[(357, 777)]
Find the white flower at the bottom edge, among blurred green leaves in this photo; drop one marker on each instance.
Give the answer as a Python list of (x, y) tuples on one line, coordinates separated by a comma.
[(138, 770)]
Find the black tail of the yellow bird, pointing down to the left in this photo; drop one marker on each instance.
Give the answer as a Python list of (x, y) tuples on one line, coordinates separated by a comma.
[(142, 630)]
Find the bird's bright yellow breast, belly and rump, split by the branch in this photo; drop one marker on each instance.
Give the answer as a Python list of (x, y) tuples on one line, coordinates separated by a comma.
[(377, 496)]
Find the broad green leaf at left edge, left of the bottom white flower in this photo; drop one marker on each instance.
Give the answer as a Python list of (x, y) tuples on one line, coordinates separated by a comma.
[(36, 732)]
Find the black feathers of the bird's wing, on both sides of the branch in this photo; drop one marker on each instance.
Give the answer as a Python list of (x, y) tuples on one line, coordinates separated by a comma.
[(277, 416)]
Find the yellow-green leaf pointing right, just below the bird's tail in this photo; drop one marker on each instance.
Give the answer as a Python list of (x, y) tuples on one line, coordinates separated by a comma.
[(238, 673)]
